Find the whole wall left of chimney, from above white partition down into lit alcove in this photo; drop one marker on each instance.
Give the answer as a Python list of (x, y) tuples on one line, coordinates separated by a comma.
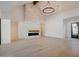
[(15, 14)]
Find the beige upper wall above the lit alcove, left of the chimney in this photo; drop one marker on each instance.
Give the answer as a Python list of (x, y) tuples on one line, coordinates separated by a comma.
[(17, 14)]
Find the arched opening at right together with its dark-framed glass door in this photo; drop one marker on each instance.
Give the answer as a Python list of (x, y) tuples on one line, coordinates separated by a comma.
[(72, 27)]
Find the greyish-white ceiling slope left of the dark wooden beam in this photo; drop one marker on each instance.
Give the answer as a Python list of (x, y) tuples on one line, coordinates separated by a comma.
[(8, 5)]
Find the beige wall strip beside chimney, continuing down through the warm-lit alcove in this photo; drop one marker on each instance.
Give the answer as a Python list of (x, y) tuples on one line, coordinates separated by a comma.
[(17, 15)]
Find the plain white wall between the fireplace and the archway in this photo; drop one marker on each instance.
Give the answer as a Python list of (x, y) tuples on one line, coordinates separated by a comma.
[(54, 26)]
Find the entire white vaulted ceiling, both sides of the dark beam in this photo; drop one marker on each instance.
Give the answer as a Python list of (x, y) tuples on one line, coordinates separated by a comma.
[(59, 5)]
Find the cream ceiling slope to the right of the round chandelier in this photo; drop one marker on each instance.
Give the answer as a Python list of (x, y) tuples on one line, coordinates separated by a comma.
[(66, 5)]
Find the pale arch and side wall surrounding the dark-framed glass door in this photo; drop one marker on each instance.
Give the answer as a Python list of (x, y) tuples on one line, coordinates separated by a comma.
[(67, 23)]
